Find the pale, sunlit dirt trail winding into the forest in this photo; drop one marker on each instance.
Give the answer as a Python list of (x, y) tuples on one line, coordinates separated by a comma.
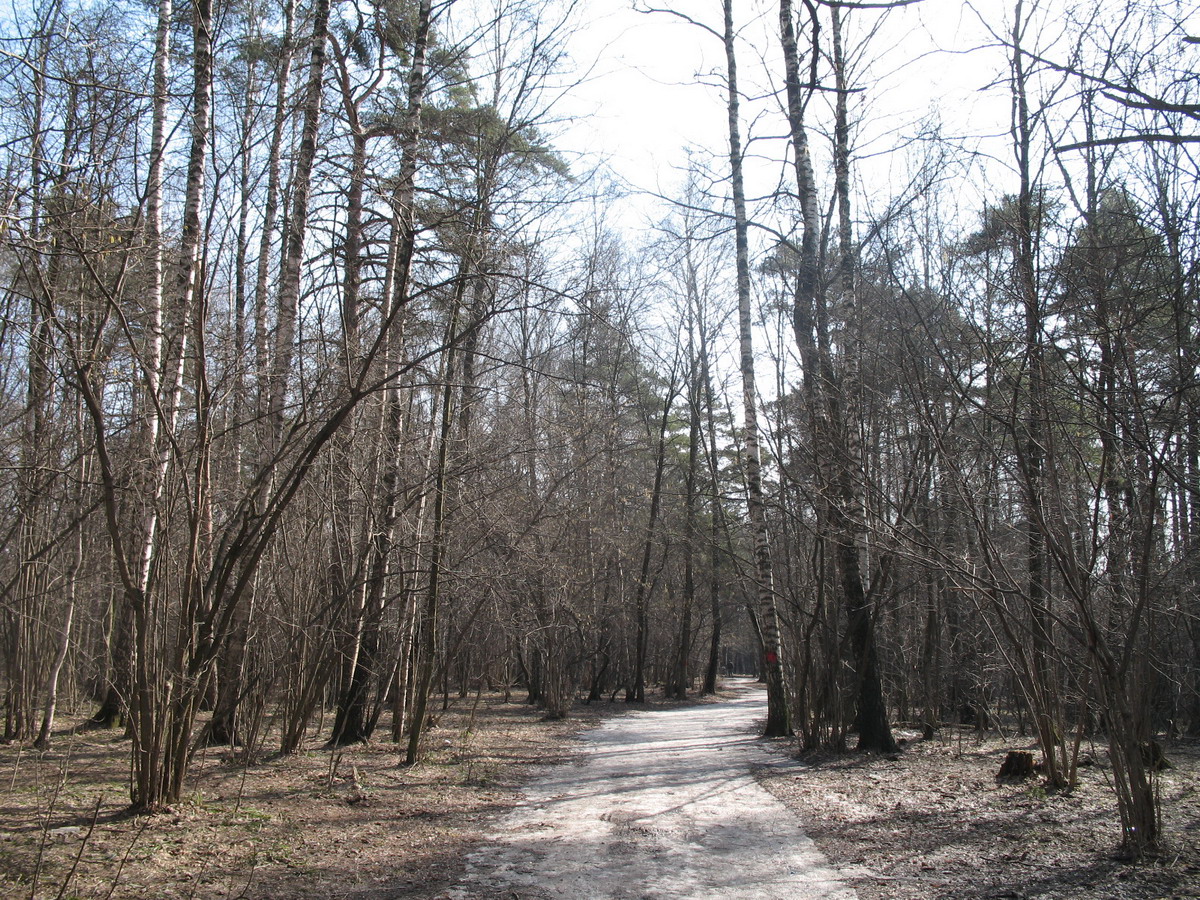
[(658, 805)]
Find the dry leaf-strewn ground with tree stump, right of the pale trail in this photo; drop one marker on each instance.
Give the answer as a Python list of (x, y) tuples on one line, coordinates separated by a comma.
[(934, 823)]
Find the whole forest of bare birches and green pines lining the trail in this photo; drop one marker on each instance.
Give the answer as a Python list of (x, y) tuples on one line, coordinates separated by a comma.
[(335, 383)]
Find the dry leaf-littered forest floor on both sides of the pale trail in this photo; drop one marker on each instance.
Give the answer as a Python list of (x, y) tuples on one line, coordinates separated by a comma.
[(352, 824)]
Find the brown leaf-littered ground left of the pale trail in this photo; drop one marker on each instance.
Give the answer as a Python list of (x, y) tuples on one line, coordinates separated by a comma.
[(344, 824)]
